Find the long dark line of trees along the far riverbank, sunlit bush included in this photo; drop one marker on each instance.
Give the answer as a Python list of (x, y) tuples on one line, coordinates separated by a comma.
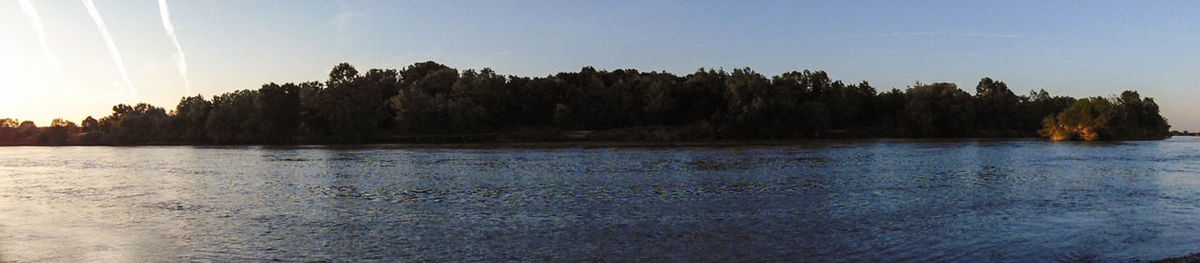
[(434, 103)]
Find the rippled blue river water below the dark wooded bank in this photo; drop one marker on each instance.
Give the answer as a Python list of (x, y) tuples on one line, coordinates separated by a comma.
[(1011, 201)]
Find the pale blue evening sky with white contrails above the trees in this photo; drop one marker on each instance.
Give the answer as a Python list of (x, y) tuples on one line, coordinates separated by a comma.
[(56, 61)]
